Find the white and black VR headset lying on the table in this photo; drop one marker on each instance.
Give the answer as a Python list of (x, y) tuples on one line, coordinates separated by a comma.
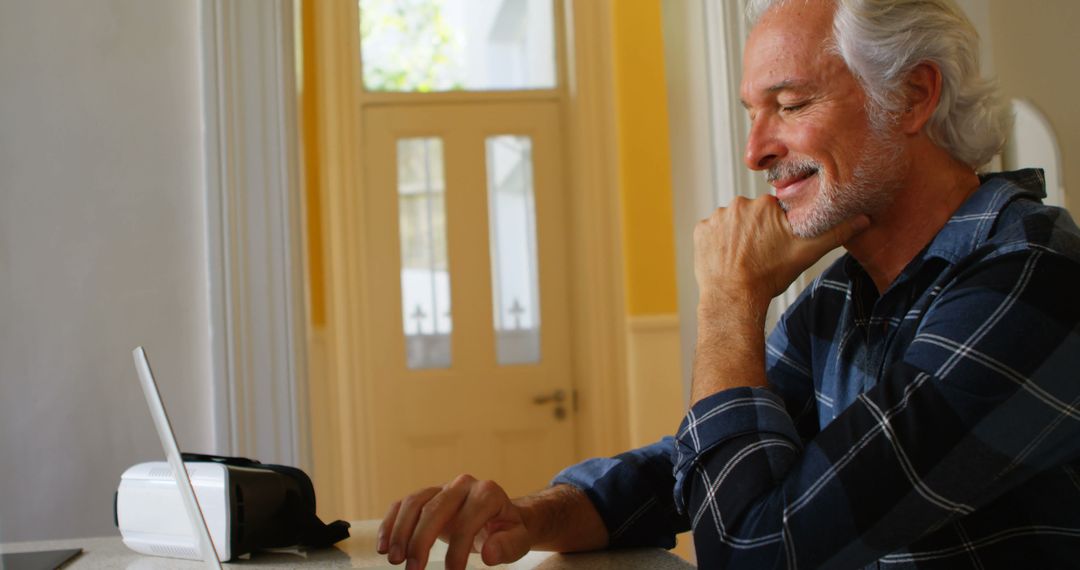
[(248, 507)]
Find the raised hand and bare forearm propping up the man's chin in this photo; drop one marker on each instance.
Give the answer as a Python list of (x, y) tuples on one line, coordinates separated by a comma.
[(746, 255)]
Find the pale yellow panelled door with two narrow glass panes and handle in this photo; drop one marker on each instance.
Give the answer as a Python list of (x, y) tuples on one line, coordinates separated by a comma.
[(467, 315)]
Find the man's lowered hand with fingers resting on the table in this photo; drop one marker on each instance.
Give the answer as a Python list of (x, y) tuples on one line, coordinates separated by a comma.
[(469, 515)]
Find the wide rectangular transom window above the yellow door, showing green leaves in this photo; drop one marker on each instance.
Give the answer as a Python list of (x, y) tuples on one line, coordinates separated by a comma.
[(425, 46)]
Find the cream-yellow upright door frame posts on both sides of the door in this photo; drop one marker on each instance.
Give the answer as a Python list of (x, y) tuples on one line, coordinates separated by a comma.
[(339, 377)]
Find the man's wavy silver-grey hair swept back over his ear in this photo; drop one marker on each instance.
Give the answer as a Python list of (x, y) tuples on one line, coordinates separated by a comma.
[(883, 40)]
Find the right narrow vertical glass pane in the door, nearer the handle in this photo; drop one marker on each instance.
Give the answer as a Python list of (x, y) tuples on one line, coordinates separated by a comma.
[(516, 290)]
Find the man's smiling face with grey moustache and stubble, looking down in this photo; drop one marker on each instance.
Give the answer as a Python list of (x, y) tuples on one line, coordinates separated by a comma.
[(811, 129)]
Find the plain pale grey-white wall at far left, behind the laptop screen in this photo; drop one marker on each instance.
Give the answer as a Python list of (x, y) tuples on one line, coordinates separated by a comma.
[(102, 249)]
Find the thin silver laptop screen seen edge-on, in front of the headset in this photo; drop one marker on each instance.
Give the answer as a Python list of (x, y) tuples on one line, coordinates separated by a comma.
[(165, 429)]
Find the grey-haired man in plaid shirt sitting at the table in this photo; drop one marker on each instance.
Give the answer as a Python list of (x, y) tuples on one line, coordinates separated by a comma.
[(917, 406)]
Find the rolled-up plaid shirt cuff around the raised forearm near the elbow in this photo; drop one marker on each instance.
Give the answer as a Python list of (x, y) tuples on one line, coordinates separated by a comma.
[(721, 418)]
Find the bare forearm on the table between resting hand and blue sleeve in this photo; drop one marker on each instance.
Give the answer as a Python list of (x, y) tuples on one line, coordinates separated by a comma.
[(562, 519)]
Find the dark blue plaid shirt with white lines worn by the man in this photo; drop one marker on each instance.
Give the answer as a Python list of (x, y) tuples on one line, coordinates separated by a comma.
[(936, 426)]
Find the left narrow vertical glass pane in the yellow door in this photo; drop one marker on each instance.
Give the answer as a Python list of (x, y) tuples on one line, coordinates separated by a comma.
[(426, 282)]
